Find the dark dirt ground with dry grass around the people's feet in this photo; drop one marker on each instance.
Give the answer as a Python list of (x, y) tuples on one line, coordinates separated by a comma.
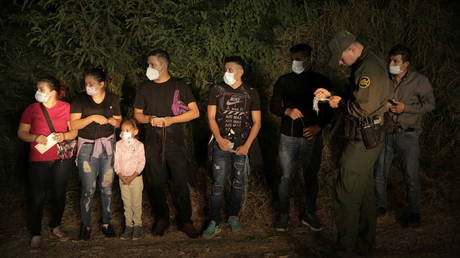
[(437, 237)]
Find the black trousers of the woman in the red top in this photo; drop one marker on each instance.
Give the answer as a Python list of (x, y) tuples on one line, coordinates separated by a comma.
[(48, 177)]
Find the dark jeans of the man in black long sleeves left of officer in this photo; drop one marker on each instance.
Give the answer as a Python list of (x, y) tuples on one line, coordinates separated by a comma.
[(292, 149)]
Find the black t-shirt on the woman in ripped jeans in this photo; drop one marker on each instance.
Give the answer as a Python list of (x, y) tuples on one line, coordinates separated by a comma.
[(85, 105)]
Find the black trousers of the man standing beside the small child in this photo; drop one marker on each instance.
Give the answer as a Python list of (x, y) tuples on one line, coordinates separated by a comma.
[(157, 176)]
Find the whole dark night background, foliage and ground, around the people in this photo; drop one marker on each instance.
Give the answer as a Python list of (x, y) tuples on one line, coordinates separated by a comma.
[(64, 38)]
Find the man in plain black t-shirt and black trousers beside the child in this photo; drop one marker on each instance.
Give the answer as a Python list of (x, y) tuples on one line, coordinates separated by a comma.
[(164, 103)]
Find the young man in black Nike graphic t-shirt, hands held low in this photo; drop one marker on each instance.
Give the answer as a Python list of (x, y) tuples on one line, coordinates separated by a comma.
[(235, 120)]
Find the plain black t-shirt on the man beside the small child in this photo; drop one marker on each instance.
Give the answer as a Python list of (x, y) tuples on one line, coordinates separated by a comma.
[(157, 99)]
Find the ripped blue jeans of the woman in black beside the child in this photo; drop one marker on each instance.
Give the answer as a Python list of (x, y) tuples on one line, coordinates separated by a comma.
[(95, 170)]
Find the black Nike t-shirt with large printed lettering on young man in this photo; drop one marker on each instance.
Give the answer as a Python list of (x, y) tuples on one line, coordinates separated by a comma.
[(233, 111)]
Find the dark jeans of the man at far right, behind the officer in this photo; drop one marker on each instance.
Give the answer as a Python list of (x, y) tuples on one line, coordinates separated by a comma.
[(406, 145)]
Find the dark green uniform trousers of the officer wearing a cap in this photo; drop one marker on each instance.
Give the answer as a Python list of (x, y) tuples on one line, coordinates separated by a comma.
[(355, 200)]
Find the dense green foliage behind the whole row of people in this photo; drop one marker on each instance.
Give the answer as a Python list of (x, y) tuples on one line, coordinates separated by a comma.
[(66, 37)]
